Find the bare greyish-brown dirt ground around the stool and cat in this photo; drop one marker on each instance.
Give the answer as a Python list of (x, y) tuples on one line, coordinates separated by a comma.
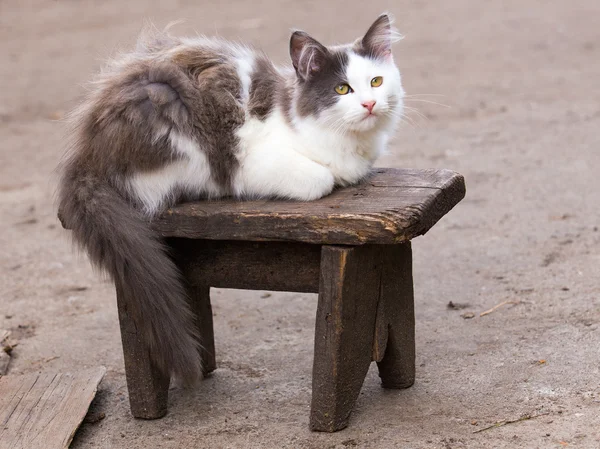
[(522, 124)]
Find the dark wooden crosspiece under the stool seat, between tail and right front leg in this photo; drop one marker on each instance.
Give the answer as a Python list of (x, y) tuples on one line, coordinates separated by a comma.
[(278, 266)]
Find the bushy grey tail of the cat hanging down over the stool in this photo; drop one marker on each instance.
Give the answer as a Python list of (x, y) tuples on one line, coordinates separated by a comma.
[(119, 241)]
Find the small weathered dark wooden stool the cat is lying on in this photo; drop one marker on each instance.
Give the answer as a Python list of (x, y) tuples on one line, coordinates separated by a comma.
[(352, 247)]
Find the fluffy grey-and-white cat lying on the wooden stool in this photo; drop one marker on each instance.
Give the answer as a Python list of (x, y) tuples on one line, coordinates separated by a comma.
[(189, 118)]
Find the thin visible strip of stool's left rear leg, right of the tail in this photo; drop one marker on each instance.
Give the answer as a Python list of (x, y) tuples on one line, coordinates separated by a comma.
[(200, 304)]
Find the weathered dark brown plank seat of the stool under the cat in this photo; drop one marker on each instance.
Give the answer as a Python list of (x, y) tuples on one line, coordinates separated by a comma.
[(393, 206)]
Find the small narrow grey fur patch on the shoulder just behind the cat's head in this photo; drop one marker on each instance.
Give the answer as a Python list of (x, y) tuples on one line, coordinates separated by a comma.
[(266, 82)]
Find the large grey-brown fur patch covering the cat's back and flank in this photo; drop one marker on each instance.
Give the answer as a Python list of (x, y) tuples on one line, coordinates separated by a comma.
[(126, 125)]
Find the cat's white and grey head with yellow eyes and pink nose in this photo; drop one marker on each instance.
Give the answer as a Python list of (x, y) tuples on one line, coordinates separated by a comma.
[(355, 87)]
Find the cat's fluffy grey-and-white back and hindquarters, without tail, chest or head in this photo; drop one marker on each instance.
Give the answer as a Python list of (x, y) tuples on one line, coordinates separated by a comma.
[(165, 117)]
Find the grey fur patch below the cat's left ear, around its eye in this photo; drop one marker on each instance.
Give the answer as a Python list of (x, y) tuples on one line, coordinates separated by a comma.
[(317, 92)]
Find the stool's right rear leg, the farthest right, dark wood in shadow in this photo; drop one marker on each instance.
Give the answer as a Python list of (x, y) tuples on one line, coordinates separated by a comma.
[(396, 317)]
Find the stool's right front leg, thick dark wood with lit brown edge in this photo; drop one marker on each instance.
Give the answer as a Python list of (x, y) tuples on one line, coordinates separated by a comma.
[(345, 324)]
